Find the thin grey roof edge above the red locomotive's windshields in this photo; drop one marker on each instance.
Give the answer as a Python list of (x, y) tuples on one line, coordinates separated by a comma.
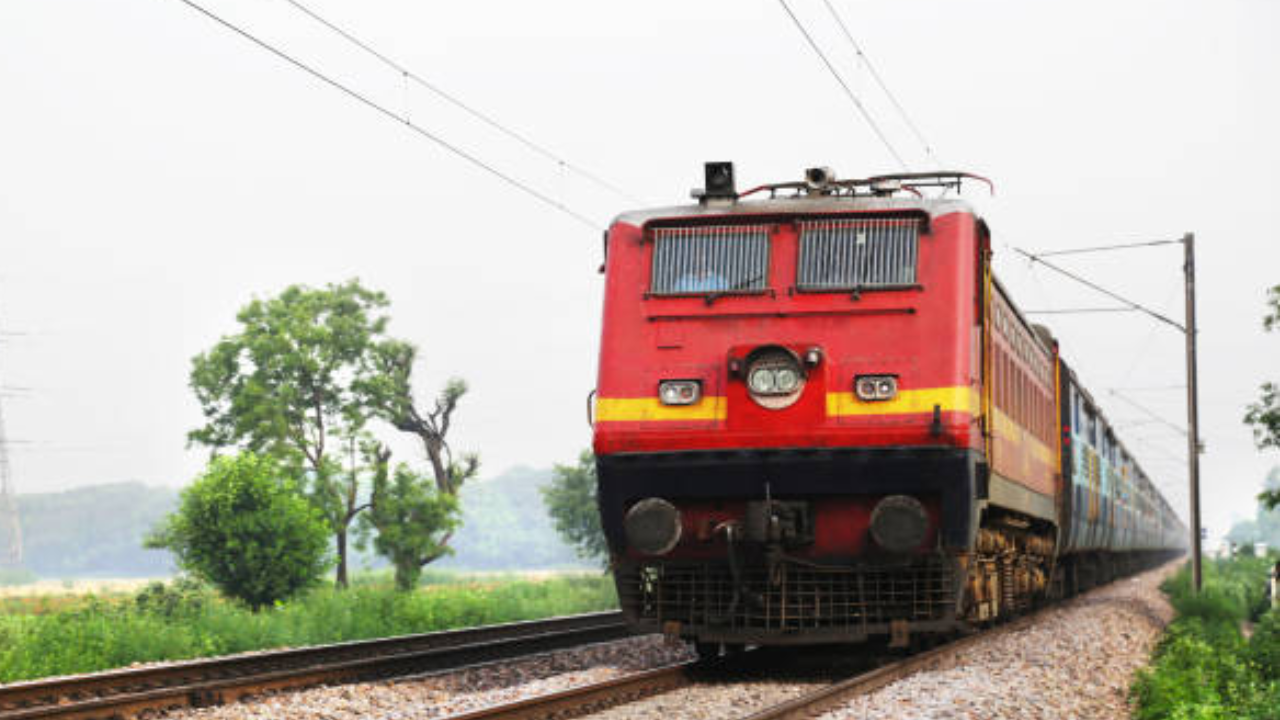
[(798, 206)]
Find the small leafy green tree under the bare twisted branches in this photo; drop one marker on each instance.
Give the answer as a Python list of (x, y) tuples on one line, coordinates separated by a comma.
[(413, 517)]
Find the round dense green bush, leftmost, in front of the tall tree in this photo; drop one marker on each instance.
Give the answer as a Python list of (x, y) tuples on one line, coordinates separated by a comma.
[(245, 528)]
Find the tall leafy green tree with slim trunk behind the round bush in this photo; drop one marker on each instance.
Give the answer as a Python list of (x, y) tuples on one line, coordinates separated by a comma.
[(296, 384)]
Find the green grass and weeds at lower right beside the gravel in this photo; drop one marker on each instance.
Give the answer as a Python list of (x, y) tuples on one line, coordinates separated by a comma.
[(1205, 668)]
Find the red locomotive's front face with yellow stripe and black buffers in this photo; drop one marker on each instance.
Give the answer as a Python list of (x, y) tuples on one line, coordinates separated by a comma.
[(785, 423)]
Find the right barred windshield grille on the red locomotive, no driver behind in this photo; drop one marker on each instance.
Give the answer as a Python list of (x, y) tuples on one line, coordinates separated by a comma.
[(857, 254)]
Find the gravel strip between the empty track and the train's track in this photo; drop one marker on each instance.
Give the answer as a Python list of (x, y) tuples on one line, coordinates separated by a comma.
[(451, 694)]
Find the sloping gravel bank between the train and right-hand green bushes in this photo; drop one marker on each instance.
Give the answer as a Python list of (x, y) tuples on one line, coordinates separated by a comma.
[(1077, 663)]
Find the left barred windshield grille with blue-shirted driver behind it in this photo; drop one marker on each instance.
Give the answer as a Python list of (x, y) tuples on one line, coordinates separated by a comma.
[(711, 261)]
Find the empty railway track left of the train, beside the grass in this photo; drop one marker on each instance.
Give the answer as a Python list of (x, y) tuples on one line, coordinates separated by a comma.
[(127, 694)]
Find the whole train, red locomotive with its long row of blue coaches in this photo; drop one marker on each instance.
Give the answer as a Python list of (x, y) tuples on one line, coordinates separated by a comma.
[(821, 418)]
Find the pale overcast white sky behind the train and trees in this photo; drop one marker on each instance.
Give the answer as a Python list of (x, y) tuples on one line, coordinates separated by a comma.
[(159, 171)]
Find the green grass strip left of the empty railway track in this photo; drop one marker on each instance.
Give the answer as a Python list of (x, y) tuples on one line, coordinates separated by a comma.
[(184, 621)]
